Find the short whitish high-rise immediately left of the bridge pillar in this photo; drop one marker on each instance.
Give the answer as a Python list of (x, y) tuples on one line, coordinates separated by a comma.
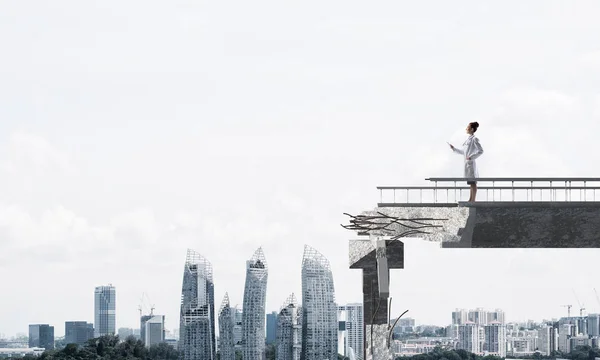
[(351, 339)]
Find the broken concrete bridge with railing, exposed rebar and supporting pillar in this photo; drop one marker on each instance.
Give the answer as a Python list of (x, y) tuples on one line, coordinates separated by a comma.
[(516, 213)]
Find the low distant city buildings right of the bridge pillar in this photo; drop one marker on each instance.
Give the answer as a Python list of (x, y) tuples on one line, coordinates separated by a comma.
[(486, 332)]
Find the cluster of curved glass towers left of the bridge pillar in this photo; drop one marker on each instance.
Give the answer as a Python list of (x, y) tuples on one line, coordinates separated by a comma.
[(307, 331)]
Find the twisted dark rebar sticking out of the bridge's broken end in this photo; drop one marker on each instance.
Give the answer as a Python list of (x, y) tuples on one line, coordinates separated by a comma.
[(381, 223)]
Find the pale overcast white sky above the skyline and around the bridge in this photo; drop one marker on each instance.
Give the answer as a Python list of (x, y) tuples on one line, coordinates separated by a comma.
[(133, 130)]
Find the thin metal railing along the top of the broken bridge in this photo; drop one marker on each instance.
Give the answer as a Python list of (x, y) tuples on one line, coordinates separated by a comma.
[(446, 191)]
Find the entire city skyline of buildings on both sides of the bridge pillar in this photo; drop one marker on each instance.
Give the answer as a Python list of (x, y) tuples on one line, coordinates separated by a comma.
[(310, 327)]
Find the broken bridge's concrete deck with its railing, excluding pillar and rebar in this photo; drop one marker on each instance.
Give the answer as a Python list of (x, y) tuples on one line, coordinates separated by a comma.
[(559, 213)]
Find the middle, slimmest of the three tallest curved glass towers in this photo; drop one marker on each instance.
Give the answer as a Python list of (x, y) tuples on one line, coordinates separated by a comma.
[(253, 317)]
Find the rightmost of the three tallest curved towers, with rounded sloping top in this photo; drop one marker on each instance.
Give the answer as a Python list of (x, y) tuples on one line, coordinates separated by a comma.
[(319, 311)]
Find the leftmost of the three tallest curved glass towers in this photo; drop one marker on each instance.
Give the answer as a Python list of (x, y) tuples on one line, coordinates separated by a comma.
[(197, 338)]
